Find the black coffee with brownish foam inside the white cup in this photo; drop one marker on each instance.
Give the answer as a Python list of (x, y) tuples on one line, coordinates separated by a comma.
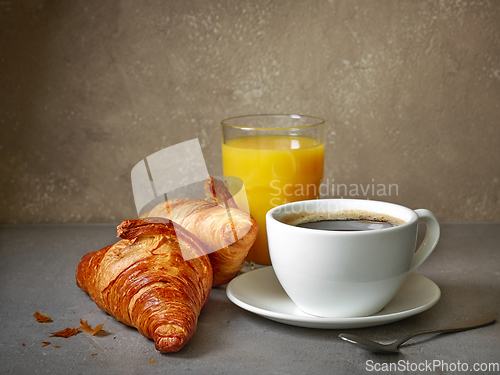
[(346, 220)]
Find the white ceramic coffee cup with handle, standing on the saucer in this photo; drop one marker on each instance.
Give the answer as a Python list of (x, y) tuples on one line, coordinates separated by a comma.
[(346, 273)]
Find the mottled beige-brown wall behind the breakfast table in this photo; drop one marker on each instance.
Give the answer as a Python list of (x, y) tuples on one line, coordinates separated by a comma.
[(410, 91)]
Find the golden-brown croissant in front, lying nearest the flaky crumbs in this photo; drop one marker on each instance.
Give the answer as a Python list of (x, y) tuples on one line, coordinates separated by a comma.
[(144, 281)]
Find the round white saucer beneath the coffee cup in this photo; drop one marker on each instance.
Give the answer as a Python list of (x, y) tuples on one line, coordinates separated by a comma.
[(260, 292)]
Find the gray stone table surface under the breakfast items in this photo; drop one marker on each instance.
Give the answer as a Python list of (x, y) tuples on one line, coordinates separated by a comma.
[(37, 266)]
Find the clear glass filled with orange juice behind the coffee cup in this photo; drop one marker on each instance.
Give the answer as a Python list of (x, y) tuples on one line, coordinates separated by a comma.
[(280, 159)]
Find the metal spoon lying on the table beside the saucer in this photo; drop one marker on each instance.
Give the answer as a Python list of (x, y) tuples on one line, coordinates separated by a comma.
[(478, 321)]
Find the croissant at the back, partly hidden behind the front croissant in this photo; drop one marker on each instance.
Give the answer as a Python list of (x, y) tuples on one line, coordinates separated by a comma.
[(227, 232)]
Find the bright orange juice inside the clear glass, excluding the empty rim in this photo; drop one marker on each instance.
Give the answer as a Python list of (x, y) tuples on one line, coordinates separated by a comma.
[(275, 170)]
